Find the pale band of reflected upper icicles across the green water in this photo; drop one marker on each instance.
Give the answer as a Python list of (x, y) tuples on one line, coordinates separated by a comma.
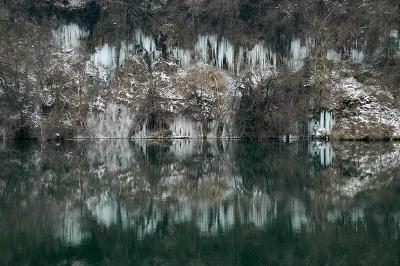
[(210, 218)]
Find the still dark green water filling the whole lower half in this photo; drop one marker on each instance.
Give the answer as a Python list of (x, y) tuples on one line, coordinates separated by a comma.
[(199, 203)]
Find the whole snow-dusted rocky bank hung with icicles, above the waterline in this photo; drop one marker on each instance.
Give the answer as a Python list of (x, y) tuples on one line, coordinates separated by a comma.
[(144, 85)]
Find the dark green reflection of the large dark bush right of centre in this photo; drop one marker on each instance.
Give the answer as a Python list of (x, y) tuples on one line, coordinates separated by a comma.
[(273, 166)]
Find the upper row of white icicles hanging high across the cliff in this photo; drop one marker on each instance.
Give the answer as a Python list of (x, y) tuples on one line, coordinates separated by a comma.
[(210, 49)]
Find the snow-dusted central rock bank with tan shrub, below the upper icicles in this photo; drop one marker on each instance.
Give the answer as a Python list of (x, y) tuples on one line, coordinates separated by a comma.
[(167, 103)]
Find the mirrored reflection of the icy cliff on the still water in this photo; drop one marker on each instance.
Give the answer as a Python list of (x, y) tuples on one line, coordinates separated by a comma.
[(82, 192)]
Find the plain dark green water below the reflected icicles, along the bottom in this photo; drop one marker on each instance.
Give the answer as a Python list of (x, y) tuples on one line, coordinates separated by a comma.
[(345, 241)]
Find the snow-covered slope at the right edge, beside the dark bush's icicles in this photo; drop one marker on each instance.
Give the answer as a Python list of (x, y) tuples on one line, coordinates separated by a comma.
[(363, 111)]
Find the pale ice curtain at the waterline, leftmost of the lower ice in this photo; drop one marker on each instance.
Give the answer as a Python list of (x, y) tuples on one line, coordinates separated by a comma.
[(115, 122)]
